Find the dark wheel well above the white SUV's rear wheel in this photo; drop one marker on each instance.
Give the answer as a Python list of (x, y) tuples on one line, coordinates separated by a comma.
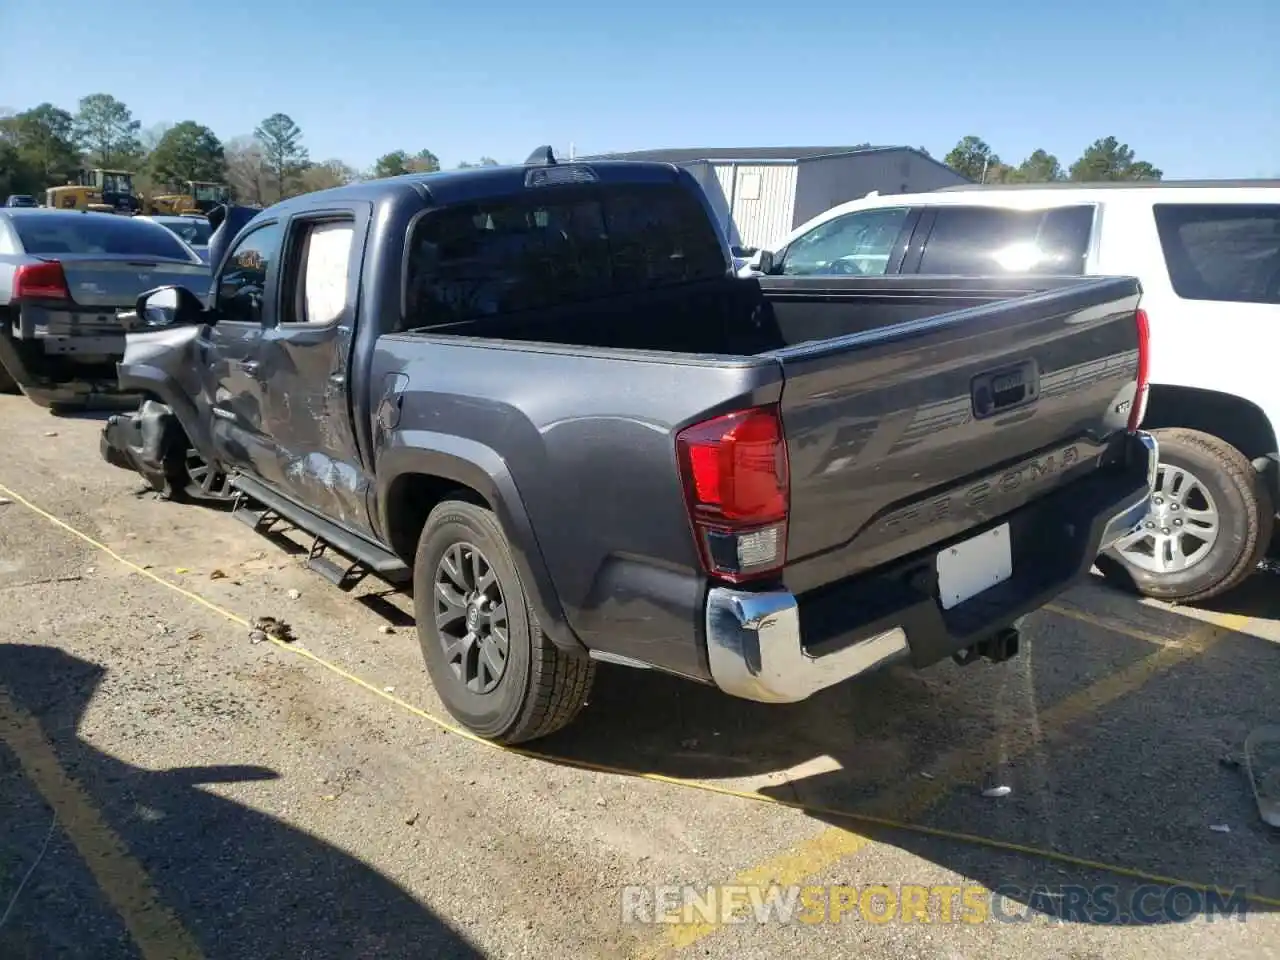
[(1233, 419)]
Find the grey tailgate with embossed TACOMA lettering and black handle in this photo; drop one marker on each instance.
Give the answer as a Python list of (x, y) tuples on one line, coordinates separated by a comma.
[(909, 435)]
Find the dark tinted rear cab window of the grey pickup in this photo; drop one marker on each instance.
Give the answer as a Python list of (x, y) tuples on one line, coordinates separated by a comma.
[(550, 249)]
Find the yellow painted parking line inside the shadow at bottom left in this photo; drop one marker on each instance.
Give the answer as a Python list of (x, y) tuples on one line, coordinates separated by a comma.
[(156, 930)]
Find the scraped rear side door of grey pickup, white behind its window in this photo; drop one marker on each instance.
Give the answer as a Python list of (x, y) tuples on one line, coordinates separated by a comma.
[(304, 359)]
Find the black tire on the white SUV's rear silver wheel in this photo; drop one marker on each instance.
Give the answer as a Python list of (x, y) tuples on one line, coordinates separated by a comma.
[(1246, 522)]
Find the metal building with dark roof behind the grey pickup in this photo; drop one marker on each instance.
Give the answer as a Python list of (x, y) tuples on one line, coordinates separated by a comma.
[(761, 194)]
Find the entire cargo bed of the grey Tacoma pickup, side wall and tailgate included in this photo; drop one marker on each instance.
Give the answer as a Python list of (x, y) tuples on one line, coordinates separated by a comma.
[(875, 380)]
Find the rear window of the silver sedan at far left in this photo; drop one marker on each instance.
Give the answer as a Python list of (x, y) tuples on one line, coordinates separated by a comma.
[(45, 235)]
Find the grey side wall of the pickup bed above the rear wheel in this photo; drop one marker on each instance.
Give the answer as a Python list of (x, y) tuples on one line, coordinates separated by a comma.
[(588, 446)]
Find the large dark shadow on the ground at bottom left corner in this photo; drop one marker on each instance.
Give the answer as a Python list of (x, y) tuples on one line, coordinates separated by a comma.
[(241, 883)]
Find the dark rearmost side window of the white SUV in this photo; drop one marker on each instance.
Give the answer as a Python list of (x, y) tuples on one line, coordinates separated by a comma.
[(1227, 253)]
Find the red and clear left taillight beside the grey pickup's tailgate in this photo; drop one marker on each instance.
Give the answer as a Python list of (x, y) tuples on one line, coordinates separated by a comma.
[(738, 490)]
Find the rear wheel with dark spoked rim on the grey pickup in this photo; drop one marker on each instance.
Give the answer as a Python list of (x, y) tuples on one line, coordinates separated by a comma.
[(541, 688)]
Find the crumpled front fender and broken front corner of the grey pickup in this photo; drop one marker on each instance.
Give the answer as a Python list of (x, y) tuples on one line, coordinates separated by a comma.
[(163, 440)]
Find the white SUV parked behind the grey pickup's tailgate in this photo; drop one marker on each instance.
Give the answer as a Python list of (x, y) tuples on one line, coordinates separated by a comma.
[(1209, 259)]
